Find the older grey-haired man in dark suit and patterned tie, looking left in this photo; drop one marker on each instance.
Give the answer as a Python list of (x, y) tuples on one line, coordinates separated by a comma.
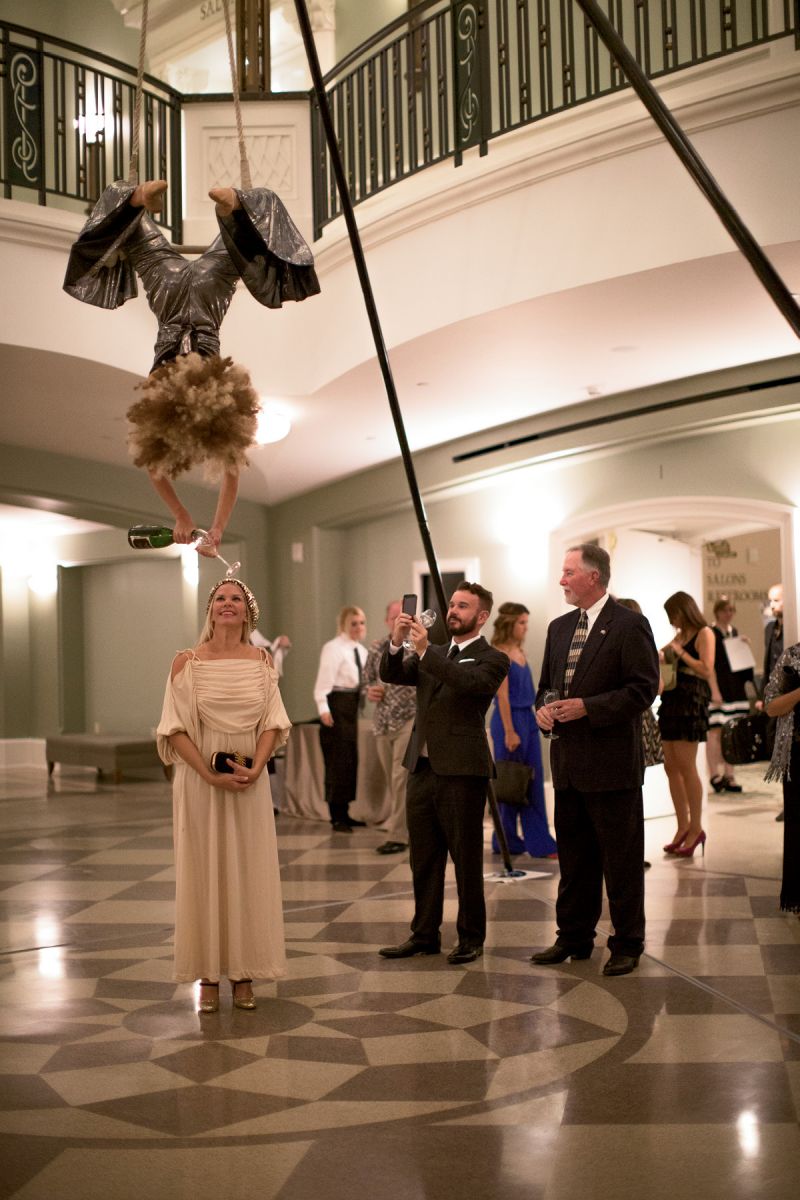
[(604, 663)]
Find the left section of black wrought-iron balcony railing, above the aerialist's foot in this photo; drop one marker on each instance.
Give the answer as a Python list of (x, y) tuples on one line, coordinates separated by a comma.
[(67, 122)]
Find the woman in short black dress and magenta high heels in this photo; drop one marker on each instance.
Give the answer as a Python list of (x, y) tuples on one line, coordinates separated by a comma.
[(684, 718)]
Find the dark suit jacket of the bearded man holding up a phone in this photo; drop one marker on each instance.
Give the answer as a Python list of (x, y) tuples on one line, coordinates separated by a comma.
[(453, 698)]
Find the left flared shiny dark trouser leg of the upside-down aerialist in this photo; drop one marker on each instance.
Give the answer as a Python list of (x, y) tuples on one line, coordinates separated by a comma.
[(98, 271)]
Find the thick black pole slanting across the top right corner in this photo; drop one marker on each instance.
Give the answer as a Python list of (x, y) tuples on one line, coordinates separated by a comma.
[(694, 164)]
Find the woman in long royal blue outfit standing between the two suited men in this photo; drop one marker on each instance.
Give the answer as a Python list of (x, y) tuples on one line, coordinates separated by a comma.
[(515, 736)]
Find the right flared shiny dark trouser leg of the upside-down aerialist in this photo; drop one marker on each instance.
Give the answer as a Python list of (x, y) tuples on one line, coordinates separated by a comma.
[(268, 250)]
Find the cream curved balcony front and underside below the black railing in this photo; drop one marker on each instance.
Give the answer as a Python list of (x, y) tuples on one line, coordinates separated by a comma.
[(574, 260)]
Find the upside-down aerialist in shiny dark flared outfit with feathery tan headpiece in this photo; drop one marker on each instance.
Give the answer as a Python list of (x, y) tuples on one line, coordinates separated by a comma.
[(197, 407)]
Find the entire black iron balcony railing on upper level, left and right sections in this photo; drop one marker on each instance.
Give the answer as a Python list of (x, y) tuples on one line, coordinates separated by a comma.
[(448, 77)]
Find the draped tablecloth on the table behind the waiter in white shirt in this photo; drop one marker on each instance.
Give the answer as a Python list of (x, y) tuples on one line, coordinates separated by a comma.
[(304, 783)]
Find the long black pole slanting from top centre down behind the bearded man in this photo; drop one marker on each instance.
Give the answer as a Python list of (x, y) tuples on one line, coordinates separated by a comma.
[(383, 358)]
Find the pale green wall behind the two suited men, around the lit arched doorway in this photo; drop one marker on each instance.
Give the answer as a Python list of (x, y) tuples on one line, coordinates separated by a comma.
[(360, 537)]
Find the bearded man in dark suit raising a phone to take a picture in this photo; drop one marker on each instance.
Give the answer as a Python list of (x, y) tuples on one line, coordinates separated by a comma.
[(449, 764)]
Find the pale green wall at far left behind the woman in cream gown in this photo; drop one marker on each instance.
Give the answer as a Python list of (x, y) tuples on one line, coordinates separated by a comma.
[(53, 650)]
